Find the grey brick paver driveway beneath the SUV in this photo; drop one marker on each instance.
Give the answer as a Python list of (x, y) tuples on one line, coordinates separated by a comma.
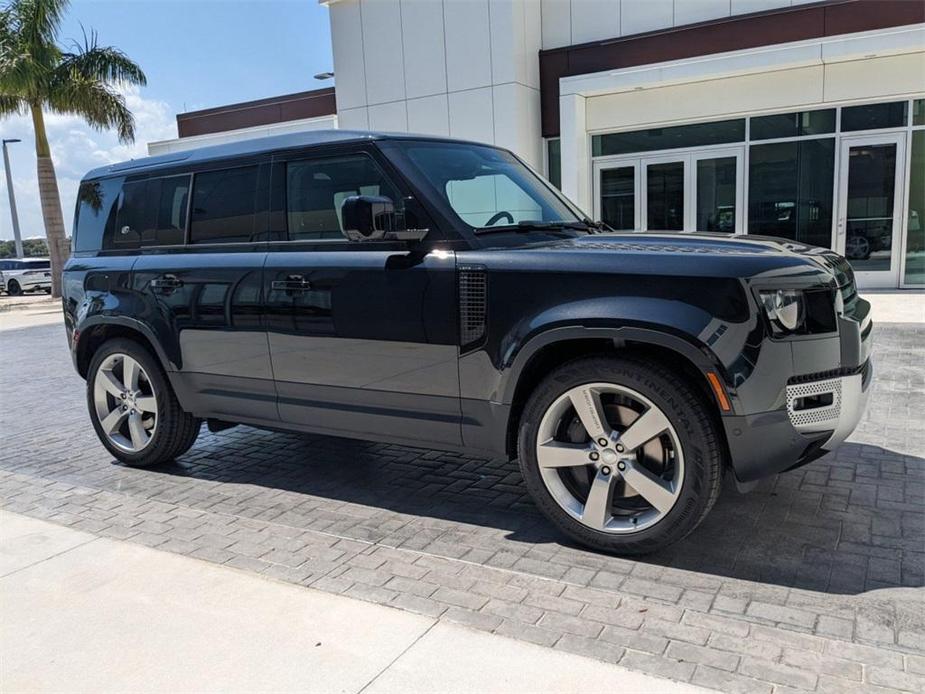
[(812, 582)]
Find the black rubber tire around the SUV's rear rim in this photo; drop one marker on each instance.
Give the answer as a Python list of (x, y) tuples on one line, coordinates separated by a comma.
[(176, 429)]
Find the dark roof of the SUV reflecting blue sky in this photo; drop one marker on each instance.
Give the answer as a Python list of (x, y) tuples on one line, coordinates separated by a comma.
[(254, 146)]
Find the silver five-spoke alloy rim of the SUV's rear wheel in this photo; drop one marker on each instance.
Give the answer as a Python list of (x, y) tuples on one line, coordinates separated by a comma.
[(126, 406)]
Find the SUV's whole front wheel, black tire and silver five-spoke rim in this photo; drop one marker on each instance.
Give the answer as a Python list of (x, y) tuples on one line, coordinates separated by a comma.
[(620, 453)]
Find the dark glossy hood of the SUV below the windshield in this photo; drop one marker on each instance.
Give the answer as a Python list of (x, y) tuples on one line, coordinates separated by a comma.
[(695, 254)]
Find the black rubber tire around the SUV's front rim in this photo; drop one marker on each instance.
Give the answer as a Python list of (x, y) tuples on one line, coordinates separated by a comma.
[(689, 416)]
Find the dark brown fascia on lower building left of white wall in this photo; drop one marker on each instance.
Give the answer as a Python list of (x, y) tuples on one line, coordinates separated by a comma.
[(277, 109)]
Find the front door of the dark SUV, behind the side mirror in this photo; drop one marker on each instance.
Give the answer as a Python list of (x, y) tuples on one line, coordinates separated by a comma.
[(362, 334)]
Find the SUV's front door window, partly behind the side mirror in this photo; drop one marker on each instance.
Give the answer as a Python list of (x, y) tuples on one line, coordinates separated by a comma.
[(316, 190)]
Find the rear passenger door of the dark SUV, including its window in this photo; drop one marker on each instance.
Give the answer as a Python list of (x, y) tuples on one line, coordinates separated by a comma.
[(202, 240)]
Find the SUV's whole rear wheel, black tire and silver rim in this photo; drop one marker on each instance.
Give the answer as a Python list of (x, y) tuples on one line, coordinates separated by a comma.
[(133, 408)]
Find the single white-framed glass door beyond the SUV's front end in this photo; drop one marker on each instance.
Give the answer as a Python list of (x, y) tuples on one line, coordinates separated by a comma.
[(869, 224)]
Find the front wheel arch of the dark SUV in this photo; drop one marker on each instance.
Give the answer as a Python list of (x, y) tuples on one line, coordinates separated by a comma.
[(560, 345)]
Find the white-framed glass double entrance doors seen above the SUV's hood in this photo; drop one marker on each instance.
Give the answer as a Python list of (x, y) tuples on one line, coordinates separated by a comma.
[(677, 191)]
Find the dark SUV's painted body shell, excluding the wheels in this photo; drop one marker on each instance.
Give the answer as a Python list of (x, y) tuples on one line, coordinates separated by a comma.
[(439, 342)]
